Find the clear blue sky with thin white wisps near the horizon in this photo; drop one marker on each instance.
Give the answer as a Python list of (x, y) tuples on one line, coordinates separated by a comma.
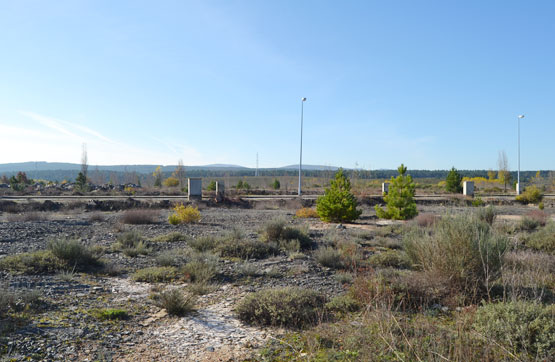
[(431, 84)]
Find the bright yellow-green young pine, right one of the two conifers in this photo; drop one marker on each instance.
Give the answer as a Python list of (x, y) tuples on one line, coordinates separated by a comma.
[(399, 200)]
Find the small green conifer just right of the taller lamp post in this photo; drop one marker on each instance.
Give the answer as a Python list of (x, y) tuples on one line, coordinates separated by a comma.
[(338, 204)]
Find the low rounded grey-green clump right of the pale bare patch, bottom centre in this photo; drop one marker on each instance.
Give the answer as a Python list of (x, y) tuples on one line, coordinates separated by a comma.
[(285, 307)]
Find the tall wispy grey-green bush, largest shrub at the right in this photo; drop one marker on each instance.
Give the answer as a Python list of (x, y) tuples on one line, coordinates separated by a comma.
[(462, 248)]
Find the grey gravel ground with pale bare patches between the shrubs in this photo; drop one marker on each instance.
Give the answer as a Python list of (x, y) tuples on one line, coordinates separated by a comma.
[(65, 328)]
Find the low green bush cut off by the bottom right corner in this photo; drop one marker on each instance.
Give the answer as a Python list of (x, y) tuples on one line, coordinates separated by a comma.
[(521, 327)]
